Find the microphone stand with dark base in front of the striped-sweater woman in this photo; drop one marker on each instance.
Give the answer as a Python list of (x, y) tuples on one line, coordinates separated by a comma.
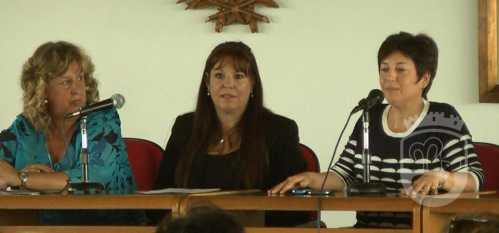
[(366, 187)]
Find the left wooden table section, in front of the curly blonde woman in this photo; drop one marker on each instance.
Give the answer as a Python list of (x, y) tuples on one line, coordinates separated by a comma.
[(19, 213)]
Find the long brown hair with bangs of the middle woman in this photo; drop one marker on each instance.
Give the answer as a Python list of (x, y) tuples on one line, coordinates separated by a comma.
[(252, 151)]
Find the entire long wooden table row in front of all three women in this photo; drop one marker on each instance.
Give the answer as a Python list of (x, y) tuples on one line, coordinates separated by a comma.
[(433, 216)]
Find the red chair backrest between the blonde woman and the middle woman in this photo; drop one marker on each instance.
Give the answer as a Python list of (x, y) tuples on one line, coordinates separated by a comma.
[(145, 158)]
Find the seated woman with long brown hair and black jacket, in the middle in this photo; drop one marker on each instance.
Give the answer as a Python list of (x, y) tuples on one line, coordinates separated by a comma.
[(232, 141)]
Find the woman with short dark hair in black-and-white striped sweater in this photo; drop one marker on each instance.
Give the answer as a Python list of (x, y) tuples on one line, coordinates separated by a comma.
[(417, 146)]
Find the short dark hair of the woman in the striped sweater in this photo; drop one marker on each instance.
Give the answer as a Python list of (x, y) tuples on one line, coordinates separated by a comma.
[(421, 48)]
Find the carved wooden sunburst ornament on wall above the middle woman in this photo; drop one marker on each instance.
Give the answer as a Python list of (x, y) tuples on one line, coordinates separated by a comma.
[(232, 12)]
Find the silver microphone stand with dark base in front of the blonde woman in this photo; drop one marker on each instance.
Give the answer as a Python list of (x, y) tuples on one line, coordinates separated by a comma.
[(85, 187)]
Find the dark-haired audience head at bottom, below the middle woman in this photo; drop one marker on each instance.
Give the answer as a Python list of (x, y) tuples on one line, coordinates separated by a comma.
[(202, 219)]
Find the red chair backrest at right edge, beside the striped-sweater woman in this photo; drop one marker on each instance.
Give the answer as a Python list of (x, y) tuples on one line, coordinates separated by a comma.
[(488, 155)]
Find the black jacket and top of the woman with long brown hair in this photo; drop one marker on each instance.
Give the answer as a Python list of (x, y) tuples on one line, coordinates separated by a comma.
[(284, 159)]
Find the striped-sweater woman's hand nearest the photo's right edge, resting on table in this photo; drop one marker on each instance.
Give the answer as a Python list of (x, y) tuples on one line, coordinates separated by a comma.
[(428, 183)]
